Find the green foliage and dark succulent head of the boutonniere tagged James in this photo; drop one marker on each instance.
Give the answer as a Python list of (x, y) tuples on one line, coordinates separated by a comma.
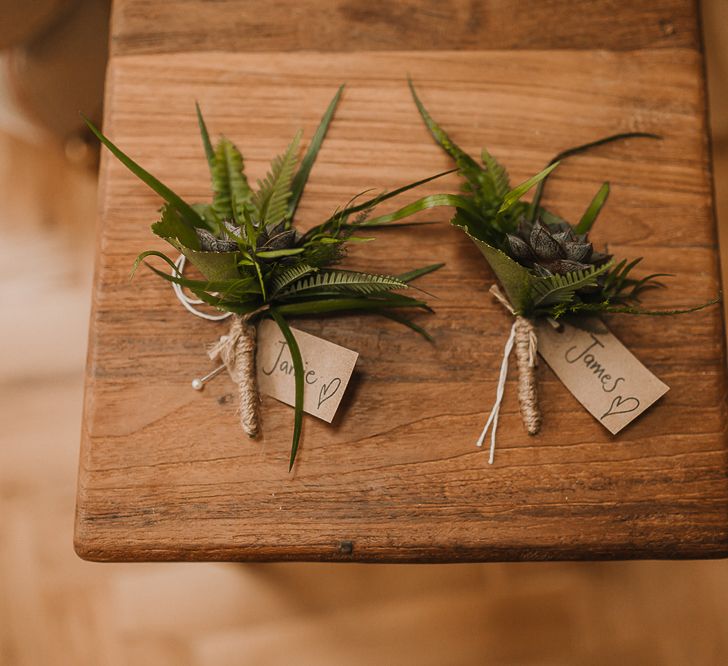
[(546, 266)]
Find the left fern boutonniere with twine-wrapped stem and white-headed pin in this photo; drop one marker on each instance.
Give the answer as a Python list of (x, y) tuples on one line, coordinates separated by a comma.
[(255, 263)]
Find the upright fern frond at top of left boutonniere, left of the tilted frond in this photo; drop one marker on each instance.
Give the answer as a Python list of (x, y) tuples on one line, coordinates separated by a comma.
[(229, 181)]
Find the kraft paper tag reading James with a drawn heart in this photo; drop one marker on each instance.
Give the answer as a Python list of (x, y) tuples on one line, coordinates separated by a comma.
[(600, 371)]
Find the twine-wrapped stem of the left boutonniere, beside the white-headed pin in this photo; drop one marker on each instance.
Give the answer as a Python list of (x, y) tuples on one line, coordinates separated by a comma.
[(237, 351)]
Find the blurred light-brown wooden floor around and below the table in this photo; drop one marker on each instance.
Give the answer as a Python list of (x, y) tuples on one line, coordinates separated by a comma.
[(56, 609)]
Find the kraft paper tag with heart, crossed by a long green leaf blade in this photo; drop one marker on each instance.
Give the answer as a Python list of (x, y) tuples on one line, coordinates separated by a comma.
[(327, 369)]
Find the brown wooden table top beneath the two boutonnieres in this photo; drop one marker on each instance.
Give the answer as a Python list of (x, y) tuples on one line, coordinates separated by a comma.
[(165, 472)]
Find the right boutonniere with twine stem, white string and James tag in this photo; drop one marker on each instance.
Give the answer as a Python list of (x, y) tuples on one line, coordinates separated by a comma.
[(548, 271)]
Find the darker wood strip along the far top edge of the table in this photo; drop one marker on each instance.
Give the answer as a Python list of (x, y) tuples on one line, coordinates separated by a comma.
[(166, 26)]
